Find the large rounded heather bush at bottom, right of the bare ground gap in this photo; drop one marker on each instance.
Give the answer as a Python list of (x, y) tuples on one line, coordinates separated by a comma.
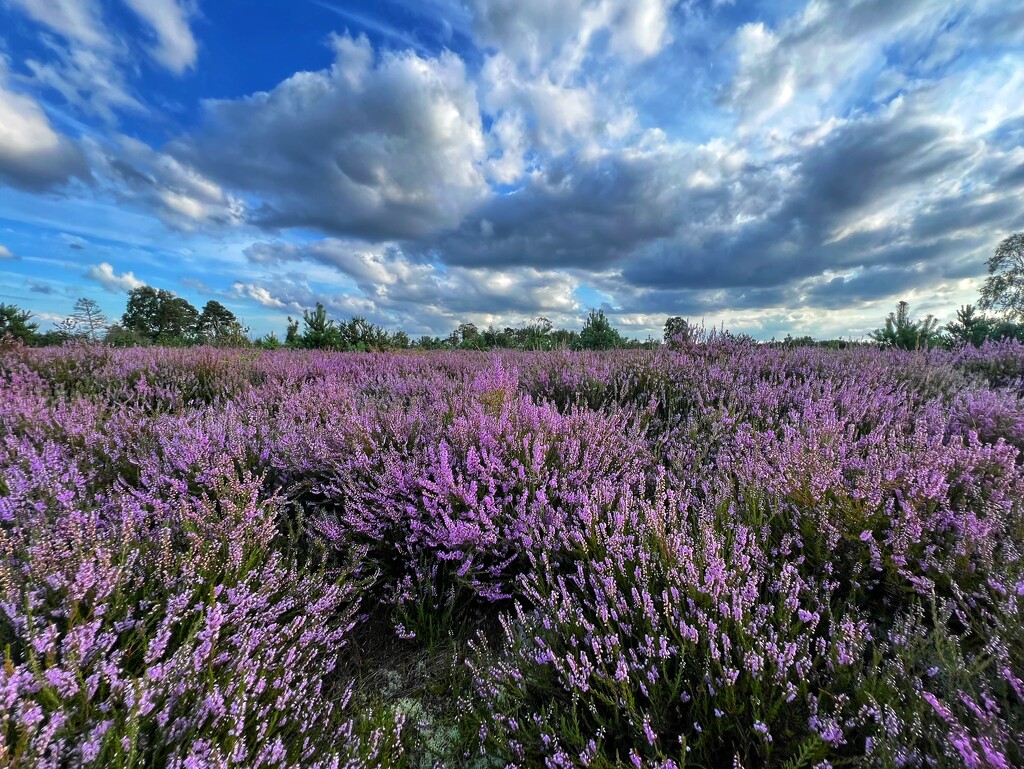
[(674, 643)]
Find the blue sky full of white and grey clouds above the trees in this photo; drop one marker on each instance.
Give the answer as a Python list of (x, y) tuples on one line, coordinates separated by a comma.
[(772, 167)]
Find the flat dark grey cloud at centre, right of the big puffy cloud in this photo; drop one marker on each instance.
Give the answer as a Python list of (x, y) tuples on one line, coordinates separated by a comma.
[(603, 213)]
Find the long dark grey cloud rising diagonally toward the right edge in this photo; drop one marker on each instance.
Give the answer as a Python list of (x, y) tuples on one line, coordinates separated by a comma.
[(855, 200)]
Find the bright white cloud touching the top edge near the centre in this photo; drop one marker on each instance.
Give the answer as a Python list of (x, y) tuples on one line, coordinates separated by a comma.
[(557, 77)]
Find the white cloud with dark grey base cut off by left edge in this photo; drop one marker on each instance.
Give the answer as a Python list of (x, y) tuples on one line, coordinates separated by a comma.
[(33, 155)]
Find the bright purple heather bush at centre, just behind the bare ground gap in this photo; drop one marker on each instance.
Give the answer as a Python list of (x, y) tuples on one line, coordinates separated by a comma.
[(449, 517)]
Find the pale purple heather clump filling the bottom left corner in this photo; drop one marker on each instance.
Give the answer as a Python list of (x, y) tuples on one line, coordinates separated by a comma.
[(163, 633)]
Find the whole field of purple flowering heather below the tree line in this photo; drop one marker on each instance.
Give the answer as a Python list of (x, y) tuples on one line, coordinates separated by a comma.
[(724, 556)]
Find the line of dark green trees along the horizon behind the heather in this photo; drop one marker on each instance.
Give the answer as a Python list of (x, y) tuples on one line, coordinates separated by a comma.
[(157, 317)]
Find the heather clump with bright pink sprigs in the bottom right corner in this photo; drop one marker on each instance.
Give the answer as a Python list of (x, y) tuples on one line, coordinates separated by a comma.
[(925, 701)]
